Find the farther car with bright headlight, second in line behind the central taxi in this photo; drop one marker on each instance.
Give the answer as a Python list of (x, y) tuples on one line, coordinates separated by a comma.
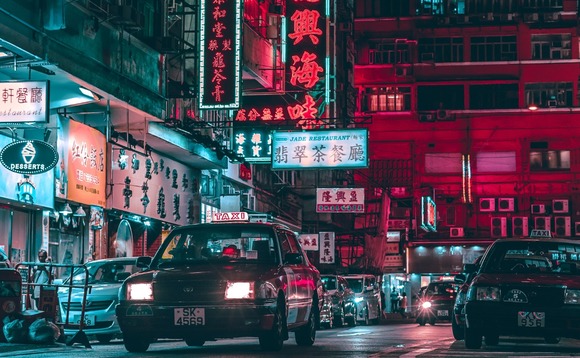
[(367, 298)]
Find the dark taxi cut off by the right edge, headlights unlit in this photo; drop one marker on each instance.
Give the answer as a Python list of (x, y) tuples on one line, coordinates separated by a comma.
[(525, 287)]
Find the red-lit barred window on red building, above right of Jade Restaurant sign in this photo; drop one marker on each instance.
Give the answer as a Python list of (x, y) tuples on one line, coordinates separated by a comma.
[(386, 99)]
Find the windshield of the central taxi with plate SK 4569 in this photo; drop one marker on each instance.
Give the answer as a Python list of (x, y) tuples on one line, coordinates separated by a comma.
[(217, 242)]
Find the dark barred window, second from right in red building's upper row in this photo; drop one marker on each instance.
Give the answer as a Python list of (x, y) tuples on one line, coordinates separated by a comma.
[(493, 48)]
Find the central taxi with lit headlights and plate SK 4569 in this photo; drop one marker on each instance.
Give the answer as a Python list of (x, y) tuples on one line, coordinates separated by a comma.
[(232, 278)]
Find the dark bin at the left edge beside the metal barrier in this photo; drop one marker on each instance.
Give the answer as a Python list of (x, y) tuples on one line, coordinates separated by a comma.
[(10, 294)]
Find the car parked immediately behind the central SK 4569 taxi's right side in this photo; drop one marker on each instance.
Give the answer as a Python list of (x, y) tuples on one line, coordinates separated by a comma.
[(340, 300)]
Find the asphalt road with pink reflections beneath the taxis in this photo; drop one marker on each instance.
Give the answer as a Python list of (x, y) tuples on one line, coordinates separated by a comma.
[(393, 340)]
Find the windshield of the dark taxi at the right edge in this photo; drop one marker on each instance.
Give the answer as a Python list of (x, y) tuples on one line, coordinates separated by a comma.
[(546, 257)]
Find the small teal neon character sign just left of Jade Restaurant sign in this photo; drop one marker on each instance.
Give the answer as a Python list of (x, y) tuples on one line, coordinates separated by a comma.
[(254, 144)]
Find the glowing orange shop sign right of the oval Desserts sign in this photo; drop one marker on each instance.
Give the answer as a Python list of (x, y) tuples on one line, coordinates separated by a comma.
[(81, 172)]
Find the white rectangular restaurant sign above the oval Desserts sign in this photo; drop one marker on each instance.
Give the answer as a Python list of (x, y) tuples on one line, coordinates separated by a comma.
[(24, 101)]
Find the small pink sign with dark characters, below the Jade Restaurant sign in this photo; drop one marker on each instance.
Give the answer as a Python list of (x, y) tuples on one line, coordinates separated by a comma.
[(340, 200)]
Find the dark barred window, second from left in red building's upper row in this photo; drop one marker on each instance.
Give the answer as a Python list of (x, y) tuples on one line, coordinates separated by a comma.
[(441, 49)]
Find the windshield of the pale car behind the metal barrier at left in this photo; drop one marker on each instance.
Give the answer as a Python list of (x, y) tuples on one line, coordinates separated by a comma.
[(104, 272)]
